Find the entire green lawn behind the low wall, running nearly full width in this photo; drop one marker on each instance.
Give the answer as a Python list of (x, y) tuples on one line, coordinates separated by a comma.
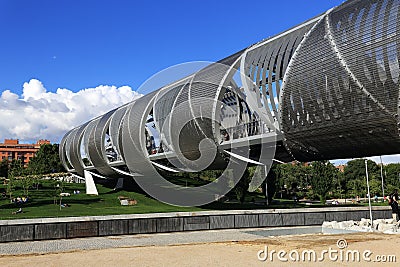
[(42, 204)]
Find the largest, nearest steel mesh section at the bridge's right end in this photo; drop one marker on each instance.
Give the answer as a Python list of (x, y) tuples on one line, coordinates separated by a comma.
[(342, 91)]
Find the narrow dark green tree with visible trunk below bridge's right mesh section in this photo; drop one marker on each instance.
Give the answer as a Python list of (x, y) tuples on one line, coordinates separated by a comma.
[(323, 175)]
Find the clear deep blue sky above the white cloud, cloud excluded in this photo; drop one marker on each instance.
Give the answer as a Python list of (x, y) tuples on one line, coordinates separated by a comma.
[(82, 44)]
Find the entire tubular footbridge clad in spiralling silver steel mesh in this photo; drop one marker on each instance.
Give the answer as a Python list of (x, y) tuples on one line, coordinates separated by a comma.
[(325, 89)]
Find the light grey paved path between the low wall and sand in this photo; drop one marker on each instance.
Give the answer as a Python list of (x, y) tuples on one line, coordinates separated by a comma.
[(164, 239)]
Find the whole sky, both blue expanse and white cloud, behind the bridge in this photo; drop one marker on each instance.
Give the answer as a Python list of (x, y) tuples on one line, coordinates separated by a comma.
[(89, 56)]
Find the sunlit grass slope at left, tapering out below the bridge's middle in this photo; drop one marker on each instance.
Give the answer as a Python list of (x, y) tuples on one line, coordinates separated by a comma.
[(42, 203)]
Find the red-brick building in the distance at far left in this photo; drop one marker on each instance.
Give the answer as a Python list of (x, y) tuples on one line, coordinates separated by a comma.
[(12, 149)]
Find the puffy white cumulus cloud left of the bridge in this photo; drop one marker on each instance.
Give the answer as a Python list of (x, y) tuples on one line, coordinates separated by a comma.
[(39, 114)]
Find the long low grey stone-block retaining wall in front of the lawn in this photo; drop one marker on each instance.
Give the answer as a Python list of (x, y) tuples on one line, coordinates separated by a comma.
[(71, 227)]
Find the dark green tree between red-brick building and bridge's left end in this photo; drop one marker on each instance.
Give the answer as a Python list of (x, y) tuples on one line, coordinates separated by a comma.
[(46, 160)]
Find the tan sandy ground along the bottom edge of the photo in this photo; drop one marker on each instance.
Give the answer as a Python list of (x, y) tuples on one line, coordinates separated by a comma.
[(240, 253)]
